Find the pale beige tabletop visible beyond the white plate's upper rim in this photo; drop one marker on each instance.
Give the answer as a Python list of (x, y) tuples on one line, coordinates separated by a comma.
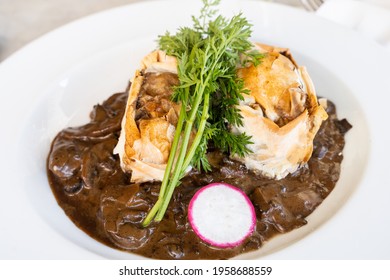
[(22, 21)]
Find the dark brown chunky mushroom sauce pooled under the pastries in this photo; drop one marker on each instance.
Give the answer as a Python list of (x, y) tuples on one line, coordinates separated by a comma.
[(98, 197)]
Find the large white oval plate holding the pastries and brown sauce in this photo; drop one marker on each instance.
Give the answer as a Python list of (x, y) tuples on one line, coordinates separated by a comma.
[(55, 81)]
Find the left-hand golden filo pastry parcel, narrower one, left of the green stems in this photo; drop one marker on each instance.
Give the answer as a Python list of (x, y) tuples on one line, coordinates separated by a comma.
[(148, 125)]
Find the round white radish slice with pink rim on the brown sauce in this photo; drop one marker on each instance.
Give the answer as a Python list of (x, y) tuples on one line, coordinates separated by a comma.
[(221, 215)]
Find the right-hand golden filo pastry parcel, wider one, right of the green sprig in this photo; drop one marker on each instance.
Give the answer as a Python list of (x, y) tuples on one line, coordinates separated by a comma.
[(281, 113)]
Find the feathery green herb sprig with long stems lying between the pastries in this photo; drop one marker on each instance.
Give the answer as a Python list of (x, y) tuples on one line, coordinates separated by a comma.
[(208, 55)]
